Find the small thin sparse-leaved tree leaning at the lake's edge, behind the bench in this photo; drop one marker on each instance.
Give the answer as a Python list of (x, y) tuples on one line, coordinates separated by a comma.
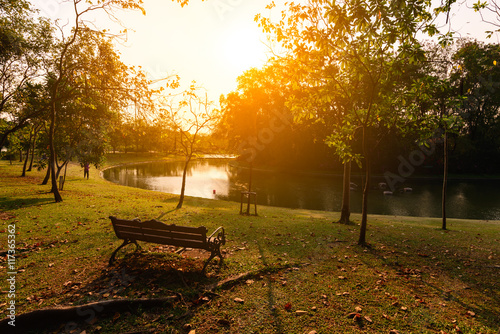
[(191, 117)]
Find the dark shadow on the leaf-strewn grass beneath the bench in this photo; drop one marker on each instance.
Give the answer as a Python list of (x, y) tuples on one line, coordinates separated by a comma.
[(140, 276)]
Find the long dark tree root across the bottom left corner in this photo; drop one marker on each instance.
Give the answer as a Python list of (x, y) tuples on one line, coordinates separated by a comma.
[(70, 315)]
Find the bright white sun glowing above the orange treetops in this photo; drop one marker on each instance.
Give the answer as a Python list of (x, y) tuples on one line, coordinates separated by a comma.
[(243, 48)]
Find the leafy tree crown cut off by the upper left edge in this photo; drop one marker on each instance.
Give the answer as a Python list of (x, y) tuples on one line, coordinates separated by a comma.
[(25, 43)]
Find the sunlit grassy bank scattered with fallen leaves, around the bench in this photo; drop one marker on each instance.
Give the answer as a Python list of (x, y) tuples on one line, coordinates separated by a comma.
[(302, 272)]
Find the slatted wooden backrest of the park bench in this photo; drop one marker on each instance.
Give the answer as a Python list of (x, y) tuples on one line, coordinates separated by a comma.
[(160, 233)]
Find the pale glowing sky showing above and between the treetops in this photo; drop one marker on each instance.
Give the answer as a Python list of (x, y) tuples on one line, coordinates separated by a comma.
[(211, 42)]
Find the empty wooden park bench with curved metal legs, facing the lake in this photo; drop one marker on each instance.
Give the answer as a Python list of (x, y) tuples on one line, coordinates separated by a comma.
[(157, 232)]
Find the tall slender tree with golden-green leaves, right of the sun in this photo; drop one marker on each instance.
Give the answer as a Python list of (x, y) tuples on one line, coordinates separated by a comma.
[(361, 48)]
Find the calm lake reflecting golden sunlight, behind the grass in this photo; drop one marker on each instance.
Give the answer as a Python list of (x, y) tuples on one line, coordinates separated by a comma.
[(218, 179)]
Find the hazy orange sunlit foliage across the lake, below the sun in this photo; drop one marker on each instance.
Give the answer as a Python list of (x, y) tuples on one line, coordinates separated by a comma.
[(259, 124)]
